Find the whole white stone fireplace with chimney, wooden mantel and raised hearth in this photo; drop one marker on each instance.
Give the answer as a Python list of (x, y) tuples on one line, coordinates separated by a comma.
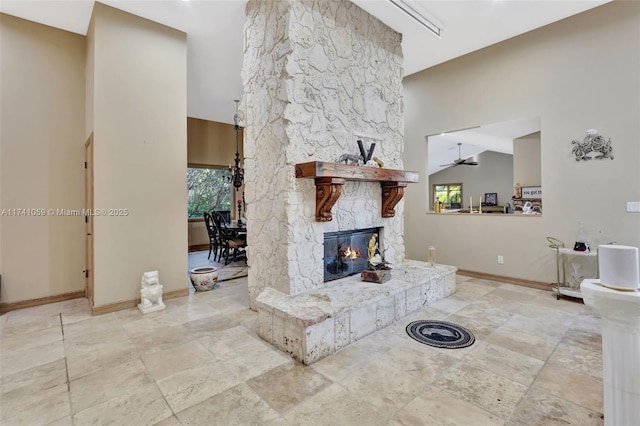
[(319, 76)]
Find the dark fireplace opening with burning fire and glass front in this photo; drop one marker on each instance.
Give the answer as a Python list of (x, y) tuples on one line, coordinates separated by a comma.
[(345, 252)]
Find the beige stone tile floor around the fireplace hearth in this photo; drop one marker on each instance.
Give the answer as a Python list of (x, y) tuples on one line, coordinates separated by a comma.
[(536, 361)]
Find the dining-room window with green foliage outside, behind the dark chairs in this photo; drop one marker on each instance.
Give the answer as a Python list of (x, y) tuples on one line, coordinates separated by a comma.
[(208, 189)]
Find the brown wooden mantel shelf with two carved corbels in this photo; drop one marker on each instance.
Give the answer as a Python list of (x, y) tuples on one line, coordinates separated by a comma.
[(329, 178)]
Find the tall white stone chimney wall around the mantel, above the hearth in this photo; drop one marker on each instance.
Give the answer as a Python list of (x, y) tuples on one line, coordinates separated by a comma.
[(318, 75)]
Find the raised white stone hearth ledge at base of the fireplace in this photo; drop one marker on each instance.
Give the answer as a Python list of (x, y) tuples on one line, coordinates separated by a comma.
[(314, 324)]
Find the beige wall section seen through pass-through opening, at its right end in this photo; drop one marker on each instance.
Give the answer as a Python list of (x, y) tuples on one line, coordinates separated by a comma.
[(526, 160)]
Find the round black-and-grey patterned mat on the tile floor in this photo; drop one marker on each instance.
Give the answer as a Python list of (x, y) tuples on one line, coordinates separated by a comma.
[(440, 334)]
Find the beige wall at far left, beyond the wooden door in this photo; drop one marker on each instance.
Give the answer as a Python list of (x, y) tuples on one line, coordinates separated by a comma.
[(41, 162)]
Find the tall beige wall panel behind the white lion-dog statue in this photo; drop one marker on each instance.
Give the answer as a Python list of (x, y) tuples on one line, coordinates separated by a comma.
[(140, 153)]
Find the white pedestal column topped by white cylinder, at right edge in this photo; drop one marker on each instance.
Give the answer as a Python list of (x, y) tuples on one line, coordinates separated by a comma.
[(615, 297)]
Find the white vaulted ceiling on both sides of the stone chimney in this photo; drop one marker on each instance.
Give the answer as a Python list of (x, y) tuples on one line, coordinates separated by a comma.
[(215, 31)]
